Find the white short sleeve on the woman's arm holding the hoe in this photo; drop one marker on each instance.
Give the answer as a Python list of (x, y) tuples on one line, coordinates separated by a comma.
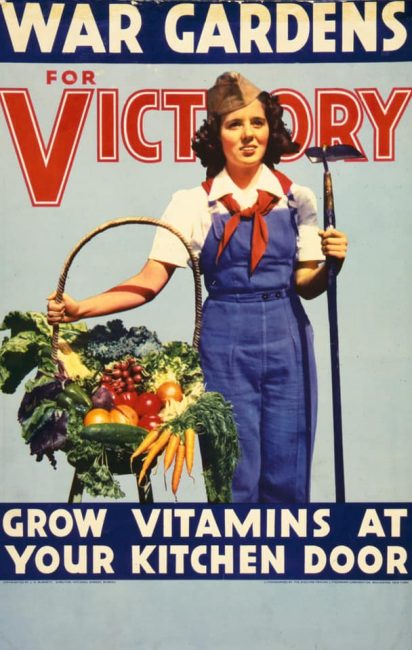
[(308, 243)]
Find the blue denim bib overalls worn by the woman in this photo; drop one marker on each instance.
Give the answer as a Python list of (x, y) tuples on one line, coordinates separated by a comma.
[(257, 350)]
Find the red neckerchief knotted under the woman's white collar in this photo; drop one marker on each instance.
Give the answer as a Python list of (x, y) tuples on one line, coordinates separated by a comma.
[(260, 234)]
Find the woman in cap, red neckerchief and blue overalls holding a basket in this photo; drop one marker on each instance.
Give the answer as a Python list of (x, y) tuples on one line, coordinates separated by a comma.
[(259, 245)]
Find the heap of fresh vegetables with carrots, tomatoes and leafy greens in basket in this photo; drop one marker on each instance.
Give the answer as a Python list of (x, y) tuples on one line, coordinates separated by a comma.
[(118, 400)]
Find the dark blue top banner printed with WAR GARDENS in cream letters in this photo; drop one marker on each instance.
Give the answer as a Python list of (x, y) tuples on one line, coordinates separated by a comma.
[(205, 32)]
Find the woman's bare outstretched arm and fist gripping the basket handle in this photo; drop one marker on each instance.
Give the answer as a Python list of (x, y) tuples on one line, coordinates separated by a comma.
[(135, 291)]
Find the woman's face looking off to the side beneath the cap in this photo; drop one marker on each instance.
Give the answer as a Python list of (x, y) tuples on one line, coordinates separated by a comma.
[(244, 136)]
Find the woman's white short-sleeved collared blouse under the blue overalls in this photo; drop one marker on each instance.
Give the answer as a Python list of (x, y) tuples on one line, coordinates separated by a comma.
[(191, 212)]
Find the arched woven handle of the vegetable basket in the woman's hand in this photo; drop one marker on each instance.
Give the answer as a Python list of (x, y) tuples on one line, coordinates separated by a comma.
[(123, 221)]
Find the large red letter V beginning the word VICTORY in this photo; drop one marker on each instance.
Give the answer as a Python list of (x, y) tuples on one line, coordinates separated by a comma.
[(45, 169)]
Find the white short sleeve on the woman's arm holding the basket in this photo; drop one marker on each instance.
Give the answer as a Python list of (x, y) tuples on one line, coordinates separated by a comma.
[(179, 214)]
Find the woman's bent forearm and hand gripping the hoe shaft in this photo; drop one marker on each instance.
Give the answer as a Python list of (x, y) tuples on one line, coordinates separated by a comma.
[(311, 279)]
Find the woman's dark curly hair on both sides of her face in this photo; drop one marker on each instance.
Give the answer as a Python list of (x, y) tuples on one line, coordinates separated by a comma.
[(207, 145)]
